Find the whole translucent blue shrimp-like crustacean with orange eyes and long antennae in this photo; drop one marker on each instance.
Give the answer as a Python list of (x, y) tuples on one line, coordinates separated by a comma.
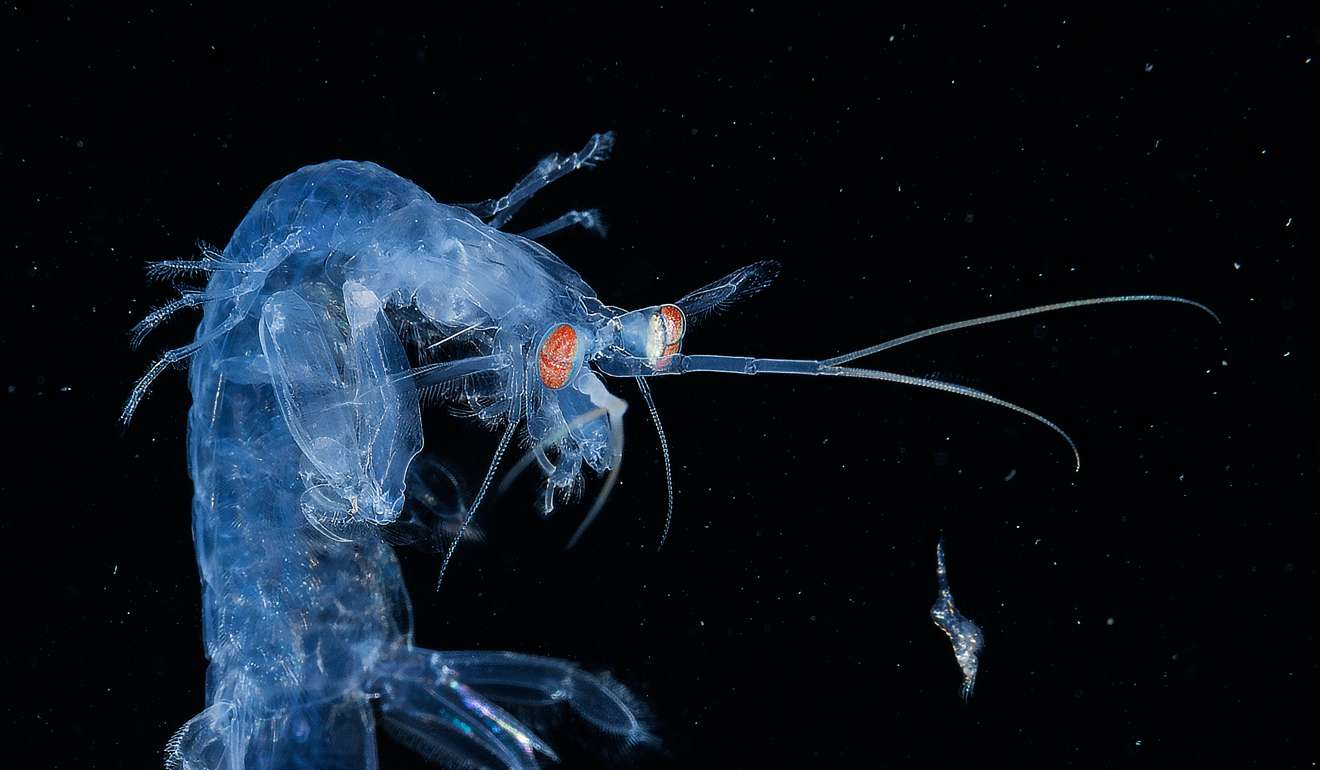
[(346, 300)]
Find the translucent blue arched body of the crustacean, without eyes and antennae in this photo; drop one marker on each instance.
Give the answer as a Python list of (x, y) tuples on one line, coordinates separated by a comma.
[(304, 423)]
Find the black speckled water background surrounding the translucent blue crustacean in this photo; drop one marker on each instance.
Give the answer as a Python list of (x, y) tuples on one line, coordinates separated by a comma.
[(1153, 610)]
